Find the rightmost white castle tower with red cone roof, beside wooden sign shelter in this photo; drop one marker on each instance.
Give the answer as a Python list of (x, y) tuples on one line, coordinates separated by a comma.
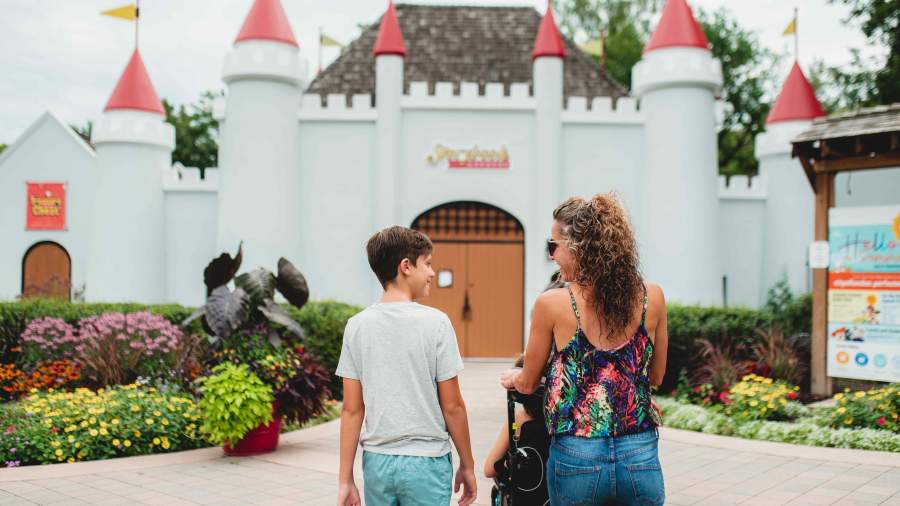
[(788, 225)]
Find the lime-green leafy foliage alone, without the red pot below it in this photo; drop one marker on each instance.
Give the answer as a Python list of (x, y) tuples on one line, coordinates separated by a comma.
[(235, 401)]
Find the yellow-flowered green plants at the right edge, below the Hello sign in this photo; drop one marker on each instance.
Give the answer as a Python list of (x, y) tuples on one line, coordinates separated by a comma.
[(874, 409)]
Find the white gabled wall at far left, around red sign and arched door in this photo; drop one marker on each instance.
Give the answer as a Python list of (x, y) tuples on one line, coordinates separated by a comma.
[(47, 152)]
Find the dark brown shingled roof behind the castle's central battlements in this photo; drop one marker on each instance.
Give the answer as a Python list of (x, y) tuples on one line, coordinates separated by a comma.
[(463, 44)]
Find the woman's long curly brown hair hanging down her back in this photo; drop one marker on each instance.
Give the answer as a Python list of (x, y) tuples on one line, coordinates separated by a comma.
[(606, 259)]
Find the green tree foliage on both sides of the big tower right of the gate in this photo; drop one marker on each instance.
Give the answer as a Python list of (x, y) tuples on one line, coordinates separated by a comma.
[(746, 65)]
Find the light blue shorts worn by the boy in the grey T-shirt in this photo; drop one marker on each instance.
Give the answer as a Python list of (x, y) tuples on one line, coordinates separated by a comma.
[(401, 480)]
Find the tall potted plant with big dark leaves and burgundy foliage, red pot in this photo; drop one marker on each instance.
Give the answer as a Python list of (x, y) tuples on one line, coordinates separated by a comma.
[(247, 327)]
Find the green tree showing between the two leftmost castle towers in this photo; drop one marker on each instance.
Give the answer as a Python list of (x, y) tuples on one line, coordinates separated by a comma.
[(196, 132)]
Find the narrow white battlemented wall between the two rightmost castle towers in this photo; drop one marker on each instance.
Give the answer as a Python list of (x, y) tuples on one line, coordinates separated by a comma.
[(742, 204)]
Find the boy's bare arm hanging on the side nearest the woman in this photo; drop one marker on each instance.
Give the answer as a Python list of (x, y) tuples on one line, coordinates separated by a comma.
[(454, 409)]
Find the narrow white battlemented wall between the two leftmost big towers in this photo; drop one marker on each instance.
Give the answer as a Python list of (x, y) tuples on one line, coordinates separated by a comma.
[(191, 223)]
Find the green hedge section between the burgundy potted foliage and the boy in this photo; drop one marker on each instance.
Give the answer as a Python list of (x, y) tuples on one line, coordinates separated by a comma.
[(324, 323)]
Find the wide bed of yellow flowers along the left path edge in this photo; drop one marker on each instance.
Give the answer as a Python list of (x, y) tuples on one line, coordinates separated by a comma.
[(52, 426)]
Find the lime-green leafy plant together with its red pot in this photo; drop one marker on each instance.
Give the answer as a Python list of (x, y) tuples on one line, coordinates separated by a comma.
[(234, 403)]
